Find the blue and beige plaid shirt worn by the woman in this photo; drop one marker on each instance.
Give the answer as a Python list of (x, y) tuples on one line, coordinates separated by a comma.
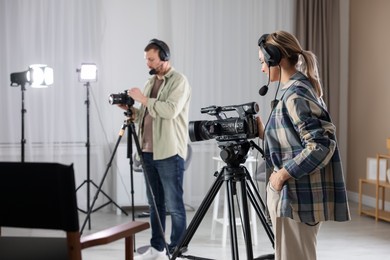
[(301, 138)]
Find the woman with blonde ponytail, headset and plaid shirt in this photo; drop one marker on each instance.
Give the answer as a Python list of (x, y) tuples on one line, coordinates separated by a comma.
[(305, 184)]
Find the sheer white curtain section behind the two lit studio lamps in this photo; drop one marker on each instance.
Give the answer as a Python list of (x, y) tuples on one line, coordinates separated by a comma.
[(61, 34)]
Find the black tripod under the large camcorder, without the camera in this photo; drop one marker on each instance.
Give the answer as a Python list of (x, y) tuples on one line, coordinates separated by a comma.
[(233, 154)]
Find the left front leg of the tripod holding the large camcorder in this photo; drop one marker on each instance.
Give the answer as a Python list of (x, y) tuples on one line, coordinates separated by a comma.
[(199, 215)]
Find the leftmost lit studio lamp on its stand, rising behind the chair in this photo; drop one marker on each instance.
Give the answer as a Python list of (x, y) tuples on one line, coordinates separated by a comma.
[(38, 76)]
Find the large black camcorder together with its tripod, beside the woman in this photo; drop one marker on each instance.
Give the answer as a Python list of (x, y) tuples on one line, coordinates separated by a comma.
[(232, 135)]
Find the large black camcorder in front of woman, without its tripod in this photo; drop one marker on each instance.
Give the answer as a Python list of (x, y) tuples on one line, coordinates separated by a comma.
[(226, 129)]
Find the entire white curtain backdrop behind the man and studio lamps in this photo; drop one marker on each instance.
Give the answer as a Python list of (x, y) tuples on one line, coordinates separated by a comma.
[(214, 43)]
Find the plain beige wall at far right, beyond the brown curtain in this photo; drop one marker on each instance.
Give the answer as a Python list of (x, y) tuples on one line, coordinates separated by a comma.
[(368, 124)]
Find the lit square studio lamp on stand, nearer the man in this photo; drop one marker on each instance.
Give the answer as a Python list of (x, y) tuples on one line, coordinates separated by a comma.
[(87, 74)]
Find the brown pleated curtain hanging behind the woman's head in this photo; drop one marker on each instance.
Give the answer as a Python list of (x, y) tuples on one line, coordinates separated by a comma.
[(318, 29)]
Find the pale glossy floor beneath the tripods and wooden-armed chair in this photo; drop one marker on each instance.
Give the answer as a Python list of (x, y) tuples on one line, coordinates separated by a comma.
[(361, 238)]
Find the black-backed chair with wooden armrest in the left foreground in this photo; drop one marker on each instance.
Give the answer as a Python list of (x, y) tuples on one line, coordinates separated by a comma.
[(43, 196)]
